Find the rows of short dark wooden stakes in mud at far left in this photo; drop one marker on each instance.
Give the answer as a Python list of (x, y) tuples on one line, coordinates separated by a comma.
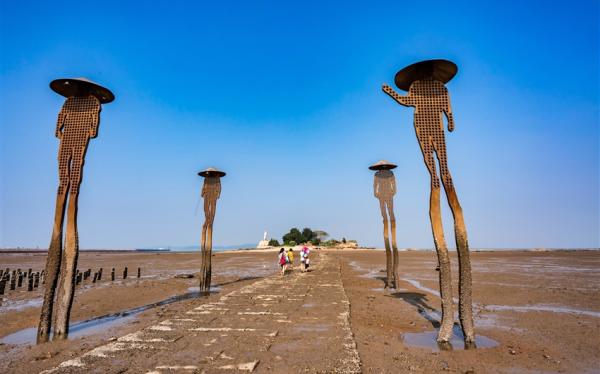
[(15, 278)]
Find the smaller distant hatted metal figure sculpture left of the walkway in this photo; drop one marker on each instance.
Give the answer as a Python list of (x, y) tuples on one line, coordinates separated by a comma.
[(211, 191)]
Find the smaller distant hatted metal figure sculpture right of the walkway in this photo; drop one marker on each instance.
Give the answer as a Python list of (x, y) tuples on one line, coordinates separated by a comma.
[(384, 188)]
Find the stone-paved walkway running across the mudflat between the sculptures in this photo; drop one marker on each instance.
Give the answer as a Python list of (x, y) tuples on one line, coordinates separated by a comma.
[(291, 324)]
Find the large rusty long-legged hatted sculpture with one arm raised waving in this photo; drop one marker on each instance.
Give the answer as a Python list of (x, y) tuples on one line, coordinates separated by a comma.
[(424, 82)]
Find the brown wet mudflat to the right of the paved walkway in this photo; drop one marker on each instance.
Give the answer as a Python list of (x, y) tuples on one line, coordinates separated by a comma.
[(541, 308)]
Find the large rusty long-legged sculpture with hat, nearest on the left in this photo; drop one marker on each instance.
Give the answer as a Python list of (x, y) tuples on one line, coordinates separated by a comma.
[(77, 122)]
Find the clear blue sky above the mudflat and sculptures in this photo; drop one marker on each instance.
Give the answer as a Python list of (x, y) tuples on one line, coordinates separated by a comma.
[(286, 99)]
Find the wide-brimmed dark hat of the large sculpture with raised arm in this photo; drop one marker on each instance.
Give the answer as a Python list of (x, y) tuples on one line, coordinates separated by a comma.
[(439, 70)]
